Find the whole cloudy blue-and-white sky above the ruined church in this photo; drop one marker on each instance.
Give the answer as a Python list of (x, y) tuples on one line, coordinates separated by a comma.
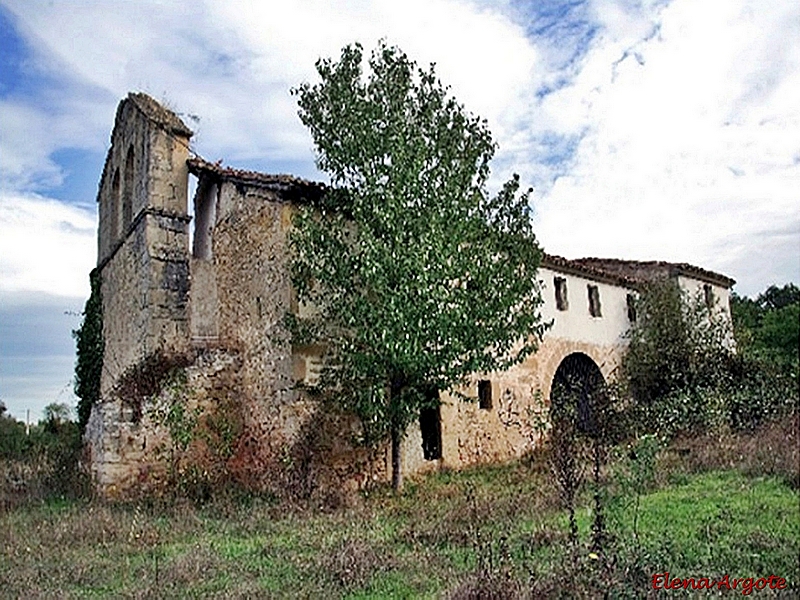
[(649, 129)]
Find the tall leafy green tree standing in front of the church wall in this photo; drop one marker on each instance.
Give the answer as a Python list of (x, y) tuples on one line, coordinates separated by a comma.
[(419, 277)]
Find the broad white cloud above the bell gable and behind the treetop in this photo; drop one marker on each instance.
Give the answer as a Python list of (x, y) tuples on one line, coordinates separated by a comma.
[(233, 63)]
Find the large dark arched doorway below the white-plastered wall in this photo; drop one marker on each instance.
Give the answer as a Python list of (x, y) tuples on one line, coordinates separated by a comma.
[(578, 390)]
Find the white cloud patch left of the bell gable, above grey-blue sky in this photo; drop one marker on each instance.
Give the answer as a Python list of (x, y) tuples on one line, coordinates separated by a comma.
[(45, 246)]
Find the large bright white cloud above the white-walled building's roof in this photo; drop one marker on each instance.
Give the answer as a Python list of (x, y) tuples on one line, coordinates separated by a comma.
[(690, 140)]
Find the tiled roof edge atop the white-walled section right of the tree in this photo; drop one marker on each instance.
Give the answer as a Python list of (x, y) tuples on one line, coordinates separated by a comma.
[(632, 273)]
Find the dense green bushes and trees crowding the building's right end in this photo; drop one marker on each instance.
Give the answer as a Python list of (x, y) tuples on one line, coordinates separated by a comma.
[(684, 371)]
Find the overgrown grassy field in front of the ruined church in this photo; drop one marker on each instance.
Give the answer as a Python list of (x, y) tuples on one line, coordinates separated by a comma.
[(487, 532)]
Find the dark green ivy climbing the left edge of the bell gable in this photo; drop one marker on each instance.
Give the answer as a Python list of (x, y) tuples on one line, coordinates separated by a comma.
[(89, 342)]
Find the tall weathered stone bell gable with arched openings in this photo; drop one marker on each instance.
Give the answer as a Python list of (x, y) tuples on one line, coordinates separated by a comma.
[(143, 235)]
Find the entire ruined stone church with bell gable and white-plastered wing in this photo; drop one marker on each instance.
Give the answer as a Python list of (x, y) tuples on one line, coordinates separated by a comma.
[(200, 373)]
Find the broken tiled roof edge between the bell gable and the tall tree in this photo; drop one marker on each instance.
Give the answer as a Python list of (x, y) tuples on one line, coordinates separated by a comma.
[(288, 186)]
